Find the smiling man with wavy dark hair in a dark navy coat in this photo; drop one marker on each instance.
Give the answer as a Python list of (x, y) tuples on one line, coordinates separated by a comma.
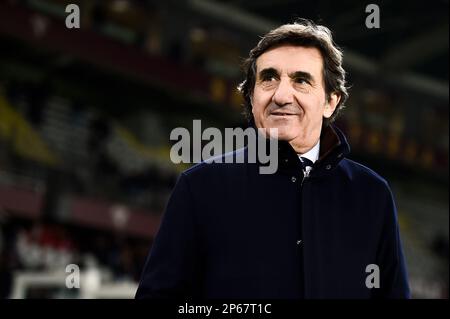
[(322, 226)]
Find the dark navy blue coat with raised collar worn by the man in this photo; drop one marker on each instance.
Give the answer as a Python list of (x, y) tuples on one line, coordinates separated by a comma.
[(230, 232)]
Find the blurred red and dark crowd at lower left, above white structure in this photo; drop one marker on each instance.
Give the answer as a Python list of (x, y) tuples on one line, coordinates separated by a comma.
[(47, 247)]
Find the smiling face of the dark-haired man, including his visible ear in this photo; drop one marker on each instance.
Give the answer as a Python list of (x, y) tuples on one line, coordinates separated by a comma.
[(289, 95)]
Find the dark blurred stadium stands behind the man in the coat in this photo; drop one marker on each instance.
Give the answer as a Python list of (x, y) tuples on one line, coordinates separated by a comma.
[(85, 118)]
